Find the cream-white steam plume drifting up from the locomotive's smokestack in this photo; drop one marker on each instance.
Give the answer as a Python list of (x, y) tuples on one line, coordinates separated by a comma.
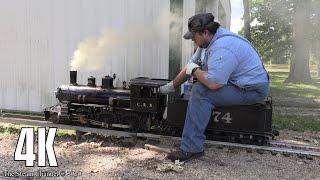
[(94, 52)]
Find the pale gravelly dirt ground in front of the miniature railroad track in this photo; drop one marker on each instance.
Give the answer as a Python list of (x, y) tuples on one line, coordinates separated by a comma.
[(96, 158)]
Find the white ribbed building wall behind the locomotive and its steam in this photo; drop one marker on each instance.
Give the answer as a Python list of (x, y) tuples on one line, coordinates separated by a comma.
[(38, 38)]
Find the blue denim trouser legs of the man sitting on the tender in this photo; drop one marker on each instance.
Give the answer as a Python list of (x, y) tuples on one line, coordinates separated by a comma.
[(203, 100)]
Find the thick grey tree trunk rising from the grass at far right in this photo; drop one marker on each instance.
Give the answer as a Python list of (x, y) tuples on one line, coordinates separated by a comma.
[(299, 65)]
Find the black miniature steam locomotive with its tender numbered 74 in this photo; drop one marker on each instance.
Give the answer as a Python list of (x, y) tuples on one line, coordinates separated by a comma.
[(141, 108)]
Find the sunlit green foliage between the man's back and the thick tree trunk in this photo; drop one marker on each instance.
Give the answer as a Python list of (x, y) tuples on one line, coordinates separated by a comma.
[(271, 31)]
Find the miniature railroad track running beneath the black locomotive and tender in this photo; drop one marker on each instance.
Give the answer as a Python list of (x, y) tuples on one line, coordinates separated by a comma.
[(274, 147)]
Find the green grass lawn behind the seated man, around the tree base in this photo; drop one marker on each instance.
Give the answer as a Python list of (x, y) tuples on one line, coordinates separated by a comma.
[(307, 91)]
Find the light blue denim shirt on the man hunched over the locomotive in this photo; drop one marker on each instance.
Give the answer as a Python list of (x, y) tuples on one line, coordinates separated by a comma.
[(232, 60)]
